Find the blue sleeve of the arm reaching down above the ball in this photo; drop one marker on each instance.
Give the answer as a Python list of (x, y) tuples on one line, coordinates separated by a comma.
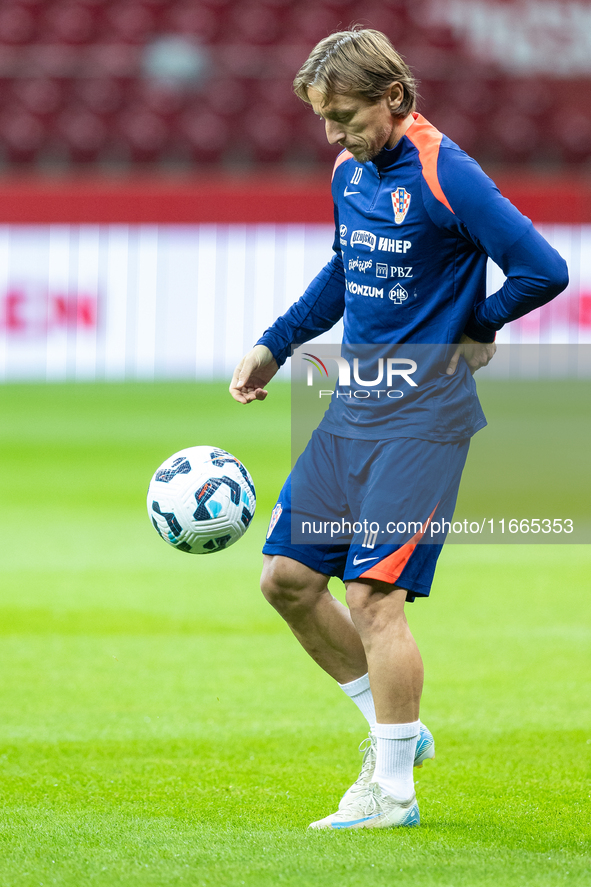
[(321, 306)]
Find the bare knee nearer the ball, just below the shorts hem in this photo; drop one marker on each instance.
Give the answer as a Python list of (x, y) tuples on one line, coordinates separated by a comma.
[(288, 584)]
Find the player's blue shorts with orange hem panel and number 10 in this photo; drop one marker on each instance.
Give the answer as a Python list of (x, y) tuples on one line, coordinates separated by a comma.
[(369, 509)]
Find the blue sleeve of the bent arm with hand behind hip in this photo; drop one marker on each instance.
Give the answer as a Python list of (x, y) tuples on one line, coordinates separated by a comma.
[(535, 271)]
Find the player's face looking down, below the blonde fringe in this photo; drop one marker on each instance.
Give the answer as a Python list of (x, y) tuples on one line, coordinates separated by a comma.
[(362, 127)]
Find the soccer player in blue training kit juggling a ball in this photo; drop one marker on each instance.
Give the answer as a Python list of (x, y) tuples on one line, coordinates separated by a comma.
[(416, 219)]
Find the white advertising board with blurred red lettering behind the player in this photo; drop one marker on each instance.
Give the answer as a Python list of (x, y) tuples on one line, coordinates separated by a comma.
[(84, 302)]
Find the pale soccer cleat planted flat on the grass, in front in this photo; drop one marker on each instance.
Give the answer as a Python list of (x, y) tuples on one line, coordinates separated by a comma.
[(371, 808)]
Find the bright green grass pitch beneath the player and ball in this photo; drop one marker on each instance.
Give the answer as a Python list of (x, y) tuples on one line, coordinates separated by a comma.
[(160, 726)]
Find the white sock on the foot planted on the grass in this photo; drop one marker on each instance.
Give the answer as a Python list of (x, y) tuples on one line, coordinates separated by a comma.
[(395, 758)]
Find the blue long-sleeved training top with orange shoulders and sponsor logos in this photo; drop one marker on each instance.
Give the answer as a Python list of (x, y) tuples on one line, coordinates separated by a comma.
[(414, 228)]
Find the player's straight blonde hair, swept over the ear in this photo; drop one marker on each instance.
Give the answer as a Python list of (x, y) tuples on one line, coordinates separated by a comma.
[(361, 62)]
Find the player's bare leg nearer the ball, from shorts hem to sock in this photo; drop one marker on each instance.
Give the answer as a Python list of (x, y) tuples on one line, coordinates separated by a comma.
[(322, 625)]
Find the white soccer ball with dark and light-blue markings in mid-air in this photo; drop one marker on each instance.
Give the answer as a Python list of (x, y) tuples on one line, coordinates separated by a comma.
[(201, 500)]
